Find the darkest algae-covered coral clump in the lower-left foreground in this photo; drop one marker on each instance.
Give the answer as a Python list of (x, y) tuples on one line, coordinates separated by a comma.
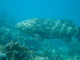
[(16, 52)]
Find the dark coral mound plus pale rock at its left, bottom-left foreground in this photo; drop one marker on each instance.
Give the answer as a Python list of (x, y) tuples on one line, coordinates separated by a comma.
[(14, 51)]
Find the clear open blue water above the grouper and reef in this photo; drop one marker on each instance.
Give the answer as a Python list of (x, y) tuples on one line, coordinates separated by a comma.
[(56, 9)]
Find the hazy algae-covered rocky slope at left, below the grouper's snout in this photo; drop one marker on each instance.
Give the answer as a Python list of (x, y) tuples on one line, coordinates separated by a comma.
[(8, 34)]
